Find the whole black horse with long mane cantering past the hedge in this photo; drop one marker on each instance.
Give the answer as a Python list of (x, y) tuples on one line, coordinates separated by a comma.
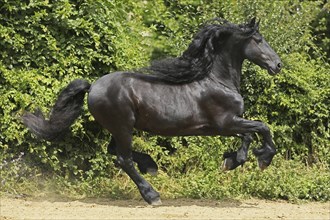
[(197, 93)]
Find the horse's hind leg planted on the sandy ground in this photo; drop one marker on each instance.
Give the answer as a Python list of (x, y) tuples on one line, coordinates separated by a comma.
[(125, 161)]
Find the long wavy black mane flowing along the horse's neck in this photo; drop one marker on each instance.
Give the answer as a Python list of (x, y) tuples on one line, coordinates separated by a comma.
[(196, 62)]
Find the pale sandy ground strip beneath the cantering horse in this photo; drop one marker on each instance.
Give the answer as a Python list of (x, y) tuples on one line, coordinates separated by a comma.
[(48, 208)]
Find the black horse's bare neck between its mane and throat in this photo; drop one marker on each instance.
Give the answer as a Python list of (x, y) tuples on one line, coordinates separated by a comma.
[(228, 70)]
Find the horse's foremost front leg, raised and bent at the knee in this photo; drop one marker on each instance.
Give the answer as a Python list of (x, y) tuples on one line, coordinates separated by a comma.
[(265, 154)]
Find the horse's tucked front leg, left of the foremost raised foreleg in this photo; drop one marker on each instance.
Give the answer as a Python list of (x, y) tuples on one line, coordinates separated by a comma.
[(235, 159)]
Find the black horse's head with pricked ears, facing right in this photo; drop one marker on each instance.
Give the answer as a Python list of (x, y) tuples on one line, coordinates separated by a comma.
[(258, 51)]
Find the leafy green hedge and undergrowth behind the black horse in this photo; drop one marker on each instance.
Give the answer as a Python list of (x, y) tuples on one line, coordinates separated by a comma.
[(46, 44)]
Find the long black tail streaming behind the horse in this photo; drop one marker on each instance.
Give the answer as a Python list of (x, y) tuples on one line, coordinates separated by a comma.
[(66, 110)]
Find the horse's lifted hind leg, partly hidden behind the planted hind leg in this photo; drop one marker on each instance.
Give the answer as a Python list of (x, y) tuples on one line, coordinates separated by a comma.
[(144, 161)]
